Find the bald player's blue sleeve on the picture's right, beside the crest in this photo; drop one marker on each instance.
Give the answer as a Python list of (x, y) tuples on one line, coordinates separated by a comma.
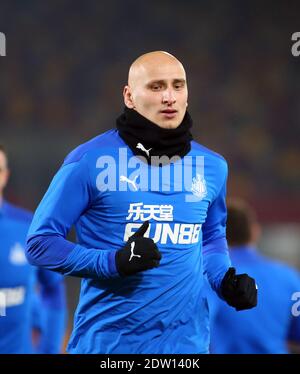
[(216, 259)]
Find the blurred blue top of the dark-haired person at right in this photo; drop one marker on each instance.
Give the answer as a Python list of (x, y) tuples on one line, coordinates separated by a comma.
[(268, 327)]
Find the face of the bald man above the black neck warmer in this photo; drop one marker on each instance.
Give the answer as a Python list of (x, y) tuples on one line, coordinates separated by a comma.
[(159, 93)]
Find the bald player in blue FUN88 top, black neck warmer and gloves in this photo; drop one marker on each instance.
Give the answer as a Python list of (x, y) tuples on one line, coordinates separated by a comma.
[(140, 295)]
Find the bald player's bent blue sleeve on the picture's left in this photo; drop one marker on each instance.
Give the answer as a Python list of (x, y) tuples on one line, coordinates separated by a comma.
[(67, 198)]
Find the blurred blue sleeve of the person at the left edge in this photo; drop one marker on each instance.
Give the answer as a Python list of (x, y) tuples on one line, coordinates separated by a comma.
[(53, 300)]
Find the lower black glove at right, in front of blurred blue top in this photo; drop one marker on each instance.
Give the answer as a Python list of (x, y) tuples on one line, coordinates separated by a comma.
[(239, 291)]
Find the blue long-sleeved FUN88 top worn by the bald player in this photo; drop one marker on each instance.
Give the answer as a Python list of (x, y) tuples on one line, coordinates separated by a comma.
[(107, 192)]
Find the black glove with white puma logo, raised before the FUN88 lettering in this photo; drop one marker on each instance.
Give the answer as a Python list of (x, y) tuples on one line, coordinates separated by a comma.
[(138, 254)]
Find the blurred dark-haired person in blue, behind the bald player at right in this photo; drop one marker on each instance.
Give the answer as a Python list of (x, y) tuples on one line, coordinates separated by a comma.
[(271, 326)]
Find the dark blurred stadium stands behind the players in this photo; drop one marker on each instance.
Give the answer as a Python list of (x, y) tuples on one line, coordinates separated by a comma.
[(67, 62)]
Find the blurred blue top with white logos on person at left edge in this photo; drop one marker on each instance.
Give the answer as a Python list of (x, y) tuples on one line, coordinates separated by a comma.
[(18, 283)]
